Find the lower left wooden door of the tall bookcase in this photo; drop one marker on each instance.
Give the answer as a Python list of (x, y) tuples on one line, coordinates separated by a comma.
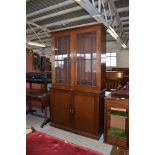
[(60, 107)]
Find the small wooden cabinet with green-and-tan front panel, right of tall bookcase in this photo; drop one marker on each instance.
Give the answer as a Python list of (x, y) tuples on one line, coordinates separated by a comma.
[(116, 119)]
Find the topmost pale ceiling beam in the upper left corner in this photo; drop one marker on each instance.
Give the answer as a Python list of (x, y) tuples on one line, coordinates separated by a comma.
[(50, 8)]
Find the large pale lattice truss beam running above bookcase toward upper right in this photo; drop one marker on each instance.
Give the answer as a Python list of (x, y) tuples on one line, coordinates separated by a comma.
[(101, 16)]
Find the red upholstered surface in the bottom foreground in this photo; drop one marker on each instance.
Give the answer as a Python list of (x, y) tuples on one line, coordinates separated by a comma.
[(38, 143)]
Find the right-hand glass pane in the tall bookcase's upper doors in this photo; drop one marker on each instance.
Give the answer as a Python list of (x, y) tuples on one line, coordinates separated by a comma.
[(86, 59)]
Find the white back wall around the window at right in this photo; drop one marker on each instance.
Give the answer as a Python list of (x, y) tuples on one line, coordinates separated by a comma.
[(122, 54)]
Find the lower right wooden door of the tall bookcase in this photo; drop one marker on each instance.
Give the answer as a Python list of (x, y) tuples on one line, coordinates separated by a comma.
[(85, 112)]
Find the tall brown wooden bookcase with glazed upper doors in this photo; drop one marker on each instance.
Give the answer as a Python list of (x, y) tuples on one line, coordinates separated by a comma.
[(78, 80)]
